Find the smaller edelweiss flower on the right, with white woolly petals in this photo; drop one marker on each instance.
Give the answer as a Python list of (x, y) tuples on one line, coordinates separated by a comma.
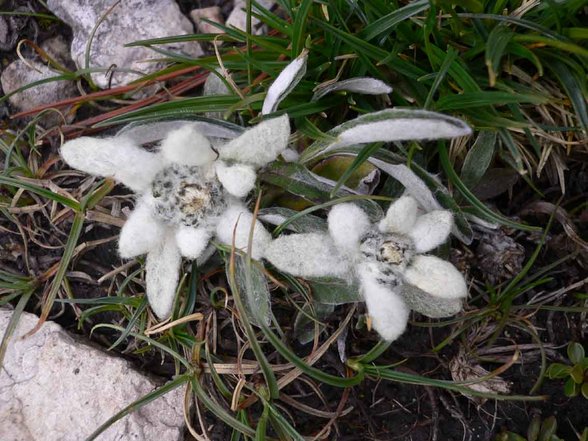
[(386, 261)]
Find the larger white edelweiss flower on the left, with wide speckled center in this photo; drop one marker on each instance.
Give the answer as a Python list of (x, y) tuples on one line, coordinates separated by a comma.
[(187, 193)]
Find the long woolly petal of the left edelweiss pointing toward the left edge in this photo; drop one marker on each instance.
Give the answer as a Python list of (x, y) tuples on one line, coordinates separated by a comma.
[(117, 157)]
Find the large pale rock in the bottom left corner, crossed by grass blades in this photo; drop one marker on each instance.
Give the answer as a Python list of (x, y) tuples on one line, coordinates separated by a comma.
[(53, 387)]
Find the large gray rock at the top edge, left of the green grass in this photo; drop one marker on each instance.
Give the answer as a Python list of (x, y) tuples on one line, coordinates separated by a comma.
[(129, 21)]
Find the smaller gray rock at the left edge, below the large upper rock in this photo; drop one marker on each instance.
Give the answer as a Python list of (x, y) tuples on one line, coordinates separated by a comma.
[(19, 74)]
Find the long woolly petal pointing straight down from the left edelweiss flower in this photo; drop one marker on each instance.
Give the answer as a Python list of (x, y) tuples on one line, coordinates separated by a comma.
[(162, 274)]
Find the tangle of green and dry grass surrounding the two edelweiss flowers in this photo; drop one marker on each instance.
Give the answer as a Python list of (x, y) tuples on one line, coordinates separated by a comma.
[(302, 361)]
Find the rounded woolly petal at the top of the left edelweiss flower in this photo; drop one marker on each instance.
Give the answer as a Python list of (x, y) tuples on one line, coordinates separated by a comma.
[(187, 146)]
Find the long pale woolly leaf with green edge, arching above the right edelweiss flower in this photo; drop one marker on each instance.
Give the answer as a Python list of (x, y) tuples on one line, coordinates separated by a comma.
[(387, 126)]
